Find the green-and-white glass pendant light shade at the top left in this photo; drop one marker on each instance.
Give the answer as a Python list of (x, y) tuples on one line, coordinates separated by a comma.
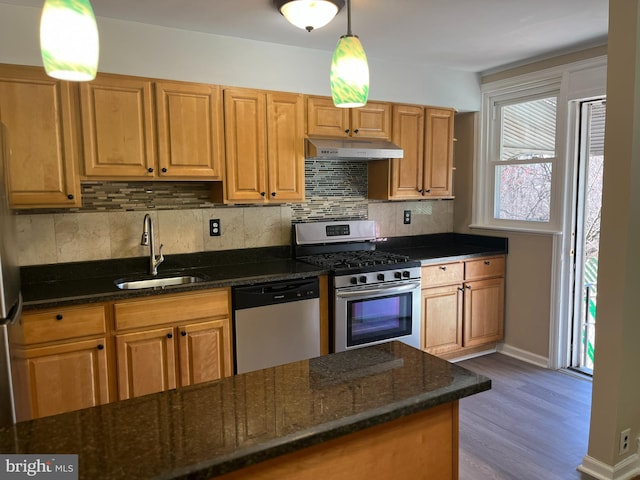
[(69, 40)]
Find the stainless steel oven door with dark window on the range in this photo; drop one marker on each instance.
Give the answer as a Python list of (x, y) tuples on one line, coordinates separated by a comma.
[(370, 314)]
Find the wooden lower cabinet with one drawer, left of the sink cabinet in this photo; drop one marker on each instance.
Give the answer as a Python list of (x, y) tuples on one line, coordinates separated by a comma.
[(60, 360)]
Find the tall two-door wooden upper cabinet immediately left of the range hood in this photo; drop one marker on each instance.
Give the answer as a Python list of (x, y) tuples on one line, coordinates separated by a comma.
[(264, 137)]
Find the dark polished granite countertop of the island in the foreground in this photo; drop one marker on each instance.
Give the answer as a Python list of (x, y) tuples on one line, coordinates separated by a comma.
[(209, 429)]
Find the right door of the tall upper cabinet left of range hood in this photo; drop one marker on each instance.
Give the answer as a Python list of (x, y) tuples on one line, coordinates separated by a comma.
[(285, 140)]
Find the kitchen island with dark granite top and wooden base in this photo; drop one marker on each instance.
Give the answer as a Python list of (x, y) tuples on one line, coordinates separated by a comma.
[(386, 411)]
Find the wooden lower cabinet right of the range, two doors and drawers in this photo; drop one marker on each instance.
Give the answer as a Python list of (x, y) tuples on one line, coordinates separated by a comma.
[(462, 306)]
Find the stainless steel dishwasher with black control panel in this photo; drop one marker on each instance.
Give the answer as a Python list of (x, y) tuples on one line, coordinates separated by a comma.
[(276, 323)]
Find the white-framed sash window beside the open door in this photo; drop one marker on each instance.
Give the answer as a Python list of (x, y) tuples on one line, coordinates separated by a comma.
[(519, 165)]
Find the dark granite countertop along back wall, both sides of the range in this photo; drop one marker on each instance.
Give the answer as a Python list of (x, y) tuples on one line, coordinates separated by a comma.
[(94, 281)]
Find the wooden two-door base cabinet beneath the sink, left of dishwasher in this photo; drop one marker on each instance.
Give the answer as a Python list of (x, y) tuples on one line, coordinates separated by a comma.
[(171, 341)]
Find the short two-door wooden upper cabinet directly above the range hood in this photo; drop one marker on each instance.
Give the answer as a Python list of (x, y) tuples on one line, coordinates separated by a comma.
[(324, 119)]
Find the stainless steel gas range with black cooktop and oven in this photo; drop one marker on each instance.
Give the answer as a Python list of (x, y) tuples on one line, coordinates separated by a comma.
[(375, 294)]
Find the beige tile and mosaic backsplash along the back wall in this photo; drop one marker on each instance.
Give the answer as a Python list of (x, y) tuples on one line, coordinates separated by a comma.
[(109, 224)]
